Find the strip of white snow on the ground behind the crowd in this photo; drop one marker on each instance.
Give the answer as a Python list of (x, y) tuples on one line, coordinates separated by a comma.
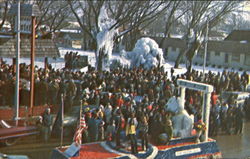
[(58, 63)]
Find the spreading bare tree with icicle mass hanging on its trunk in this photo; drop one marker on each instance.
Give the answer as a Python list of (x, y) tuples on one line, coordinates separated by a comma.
[(127, 16)]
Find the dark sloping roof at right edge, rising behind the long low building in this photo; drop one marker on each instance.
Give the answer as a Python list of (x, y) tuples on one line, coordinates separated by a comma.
[(239, 35)]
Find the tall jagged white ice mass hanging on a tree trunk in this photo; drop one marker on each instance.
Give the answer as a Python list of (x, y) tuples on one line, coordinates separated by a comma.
[(105, 38)]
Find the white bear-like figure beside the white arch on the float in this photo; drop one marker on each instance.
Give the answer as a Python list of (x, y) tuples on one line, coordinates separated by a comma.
[(182, 121)]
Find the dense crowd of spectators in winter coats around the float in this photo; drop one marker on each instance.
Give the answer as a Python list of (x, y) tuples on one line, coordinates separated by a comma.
[(114, 93)]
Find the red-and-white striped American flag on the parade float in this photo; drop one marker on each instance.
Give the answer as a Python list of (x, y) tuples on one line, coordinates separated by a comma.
[(78, 134)]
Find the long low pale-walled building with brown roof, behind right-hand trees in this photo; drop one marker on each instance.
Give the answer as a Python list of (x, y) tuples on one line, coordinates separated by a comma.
[(226, 53)]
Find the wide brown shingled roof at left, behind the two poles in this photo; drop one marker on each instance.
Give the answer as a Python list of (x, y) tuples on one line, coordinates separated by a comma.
[(44, 48)]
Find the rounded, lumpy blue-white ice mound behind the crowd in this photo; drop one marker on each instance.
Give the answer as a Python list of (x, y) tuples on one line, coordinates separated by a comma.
[(146, 53)]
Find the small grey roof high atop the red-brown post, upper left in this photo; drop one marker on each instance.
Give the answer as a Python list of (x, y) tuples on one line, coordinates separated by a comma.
[(25, 10)]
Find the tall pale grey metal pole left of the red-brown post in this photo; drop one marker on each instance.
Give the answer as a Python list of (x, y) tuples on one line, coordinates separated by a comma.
[(17, 63)]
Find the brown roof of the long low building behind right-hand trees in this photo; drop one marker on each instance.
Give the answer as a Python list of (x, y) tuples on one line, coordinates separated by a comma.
[(234, 47)]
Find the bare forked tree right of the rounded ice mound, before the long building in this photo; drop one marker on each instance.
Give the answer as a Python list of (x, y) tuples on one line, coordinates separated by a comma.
[(196, 16)]
